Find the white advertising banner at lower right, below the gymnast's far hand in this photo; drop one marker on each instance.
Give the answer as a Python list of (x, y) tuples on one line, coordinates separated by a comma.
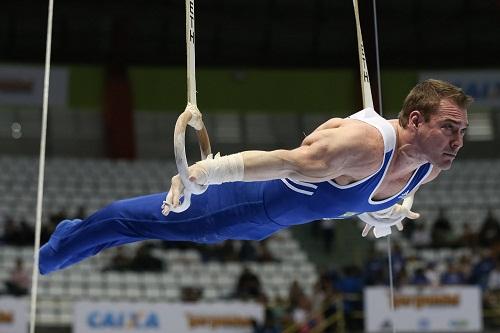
[(450, 309)]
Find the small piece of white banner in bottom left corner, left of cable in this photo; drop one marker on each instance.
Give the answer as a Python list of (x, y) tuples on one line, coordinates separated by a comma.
[(13, 315)]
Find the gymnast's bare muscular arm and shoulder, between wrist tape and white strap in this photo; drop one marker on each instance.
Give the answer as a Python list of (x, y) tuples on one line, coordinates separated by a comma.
[(325, 154)]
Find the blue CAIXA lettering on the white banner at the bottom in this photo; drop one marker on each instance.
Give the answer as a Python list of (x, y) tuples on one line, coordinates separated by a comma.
[(123, 320)]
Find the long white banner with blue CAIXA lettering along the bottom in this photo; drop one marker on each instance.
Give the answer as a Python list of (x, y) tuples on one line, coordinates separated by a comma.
[(120, 317)]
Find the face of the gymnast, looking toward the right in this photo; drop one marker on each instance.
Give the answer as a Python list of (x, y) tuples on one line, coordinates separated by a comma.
[(443, 135)]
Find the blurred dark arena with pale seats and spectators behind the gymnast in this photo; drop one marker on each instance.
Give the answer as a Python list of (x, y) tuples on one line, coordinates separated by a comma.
[(268, 73)]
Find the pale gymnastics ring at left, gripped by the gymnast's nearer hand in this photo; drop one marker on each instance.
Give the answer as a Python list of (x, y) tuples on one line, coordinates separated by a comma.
[(191, 116)]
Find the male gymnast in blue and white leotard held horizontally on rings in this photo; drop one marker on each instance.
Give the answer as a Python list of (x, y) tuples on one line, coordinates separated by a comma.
[(362, 165)]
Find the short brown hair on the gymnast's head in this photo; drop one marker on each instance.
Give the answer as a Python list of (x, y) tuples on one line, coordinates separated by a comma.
[(426, 97)]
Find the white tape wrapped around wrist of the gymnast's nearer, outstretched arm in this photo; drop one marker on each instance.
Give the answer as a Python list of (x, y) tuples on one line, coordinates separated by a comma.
[(223, 169)]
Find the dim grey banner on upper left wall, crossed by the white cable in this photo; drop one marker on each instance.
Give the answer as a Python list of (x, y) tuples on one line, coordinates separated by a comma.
[(23, 85)]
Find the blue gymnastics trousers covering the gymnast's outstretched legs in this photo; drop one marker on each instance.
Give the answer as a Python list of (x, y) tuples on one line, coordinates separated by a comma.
[(226, 211)]
